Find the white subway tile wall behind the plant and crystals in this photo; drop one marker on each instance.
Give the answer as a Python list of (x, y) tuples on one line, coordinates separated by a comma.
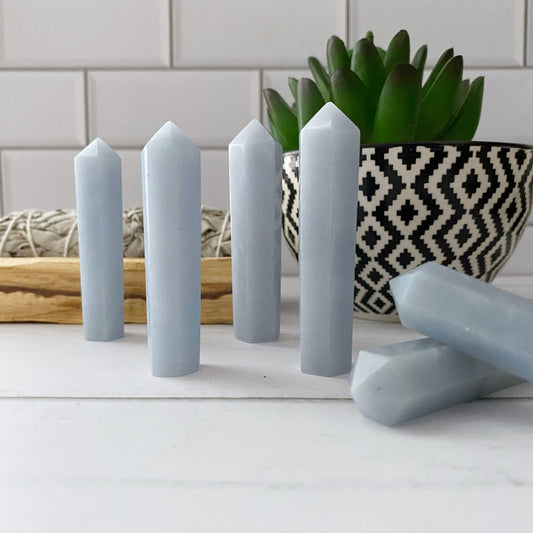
[(73, 70)]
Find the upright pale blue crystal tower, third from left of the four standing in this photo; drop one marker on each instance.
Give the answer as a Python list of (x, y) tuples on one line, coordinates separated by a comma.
[(255, 199)]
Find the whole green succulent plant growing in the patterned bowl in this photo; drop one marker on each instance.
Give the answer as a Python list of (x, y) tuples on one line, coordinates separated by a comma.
[(383, 92)]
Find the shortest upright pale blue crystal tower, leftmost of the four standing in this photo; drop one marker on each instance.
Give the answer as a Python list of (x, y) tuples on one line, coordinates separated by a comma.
[(98, 178)]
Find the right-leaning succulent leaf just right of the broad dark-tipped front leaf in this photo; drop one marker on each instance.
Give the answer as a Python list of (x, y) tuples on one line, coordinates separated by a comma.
[(439, 103)]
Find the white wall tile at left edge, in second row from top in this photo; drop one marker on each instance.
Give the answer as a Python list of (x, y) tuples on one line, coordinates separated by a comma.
[(42, 109)]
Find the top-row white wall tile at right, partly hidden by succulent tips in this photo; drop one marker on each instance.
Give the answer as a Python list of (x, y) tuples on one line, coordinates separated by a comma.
[(467, 25)]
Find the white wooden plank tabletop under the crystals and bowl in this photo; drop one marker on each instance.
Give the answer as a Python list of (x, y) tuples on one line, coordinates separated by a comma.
[(91, 442)]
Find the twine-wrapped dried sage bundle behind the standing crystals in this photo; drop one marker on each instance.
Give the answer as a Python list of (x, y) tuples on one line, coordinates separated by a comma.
[(55, 233)]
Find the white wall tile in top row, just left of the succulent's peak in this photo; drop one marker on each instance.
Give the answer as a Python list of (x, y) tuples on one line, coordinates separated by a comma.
[(267, 33)]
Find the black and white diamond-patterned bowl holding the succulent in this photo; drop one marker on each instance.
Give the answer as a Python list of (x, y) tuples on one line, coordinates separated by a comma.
[(464, 205)]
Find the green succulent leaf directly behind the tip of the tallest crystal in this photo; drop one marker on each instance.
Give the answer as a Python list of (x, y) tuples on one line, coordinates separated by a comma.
[(351, 96)]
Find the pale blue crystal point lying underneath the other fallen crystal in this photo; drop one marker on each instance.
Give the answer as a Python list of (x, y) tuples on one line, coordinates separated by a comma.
[(400, 382)]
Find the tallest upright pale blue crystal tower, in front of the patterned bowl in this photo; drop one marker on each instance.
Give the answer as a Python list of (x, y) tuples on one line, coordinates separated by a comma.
[(329, 168)]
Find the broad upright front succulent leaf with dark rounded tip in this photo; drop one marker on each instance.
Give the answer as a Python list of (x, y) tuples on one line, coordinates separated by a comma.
[(398, 107)]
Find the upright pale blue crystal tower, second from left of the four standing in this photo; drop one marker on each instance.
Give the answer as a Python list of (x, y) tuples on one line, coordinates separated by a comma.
[(172, 233)]
